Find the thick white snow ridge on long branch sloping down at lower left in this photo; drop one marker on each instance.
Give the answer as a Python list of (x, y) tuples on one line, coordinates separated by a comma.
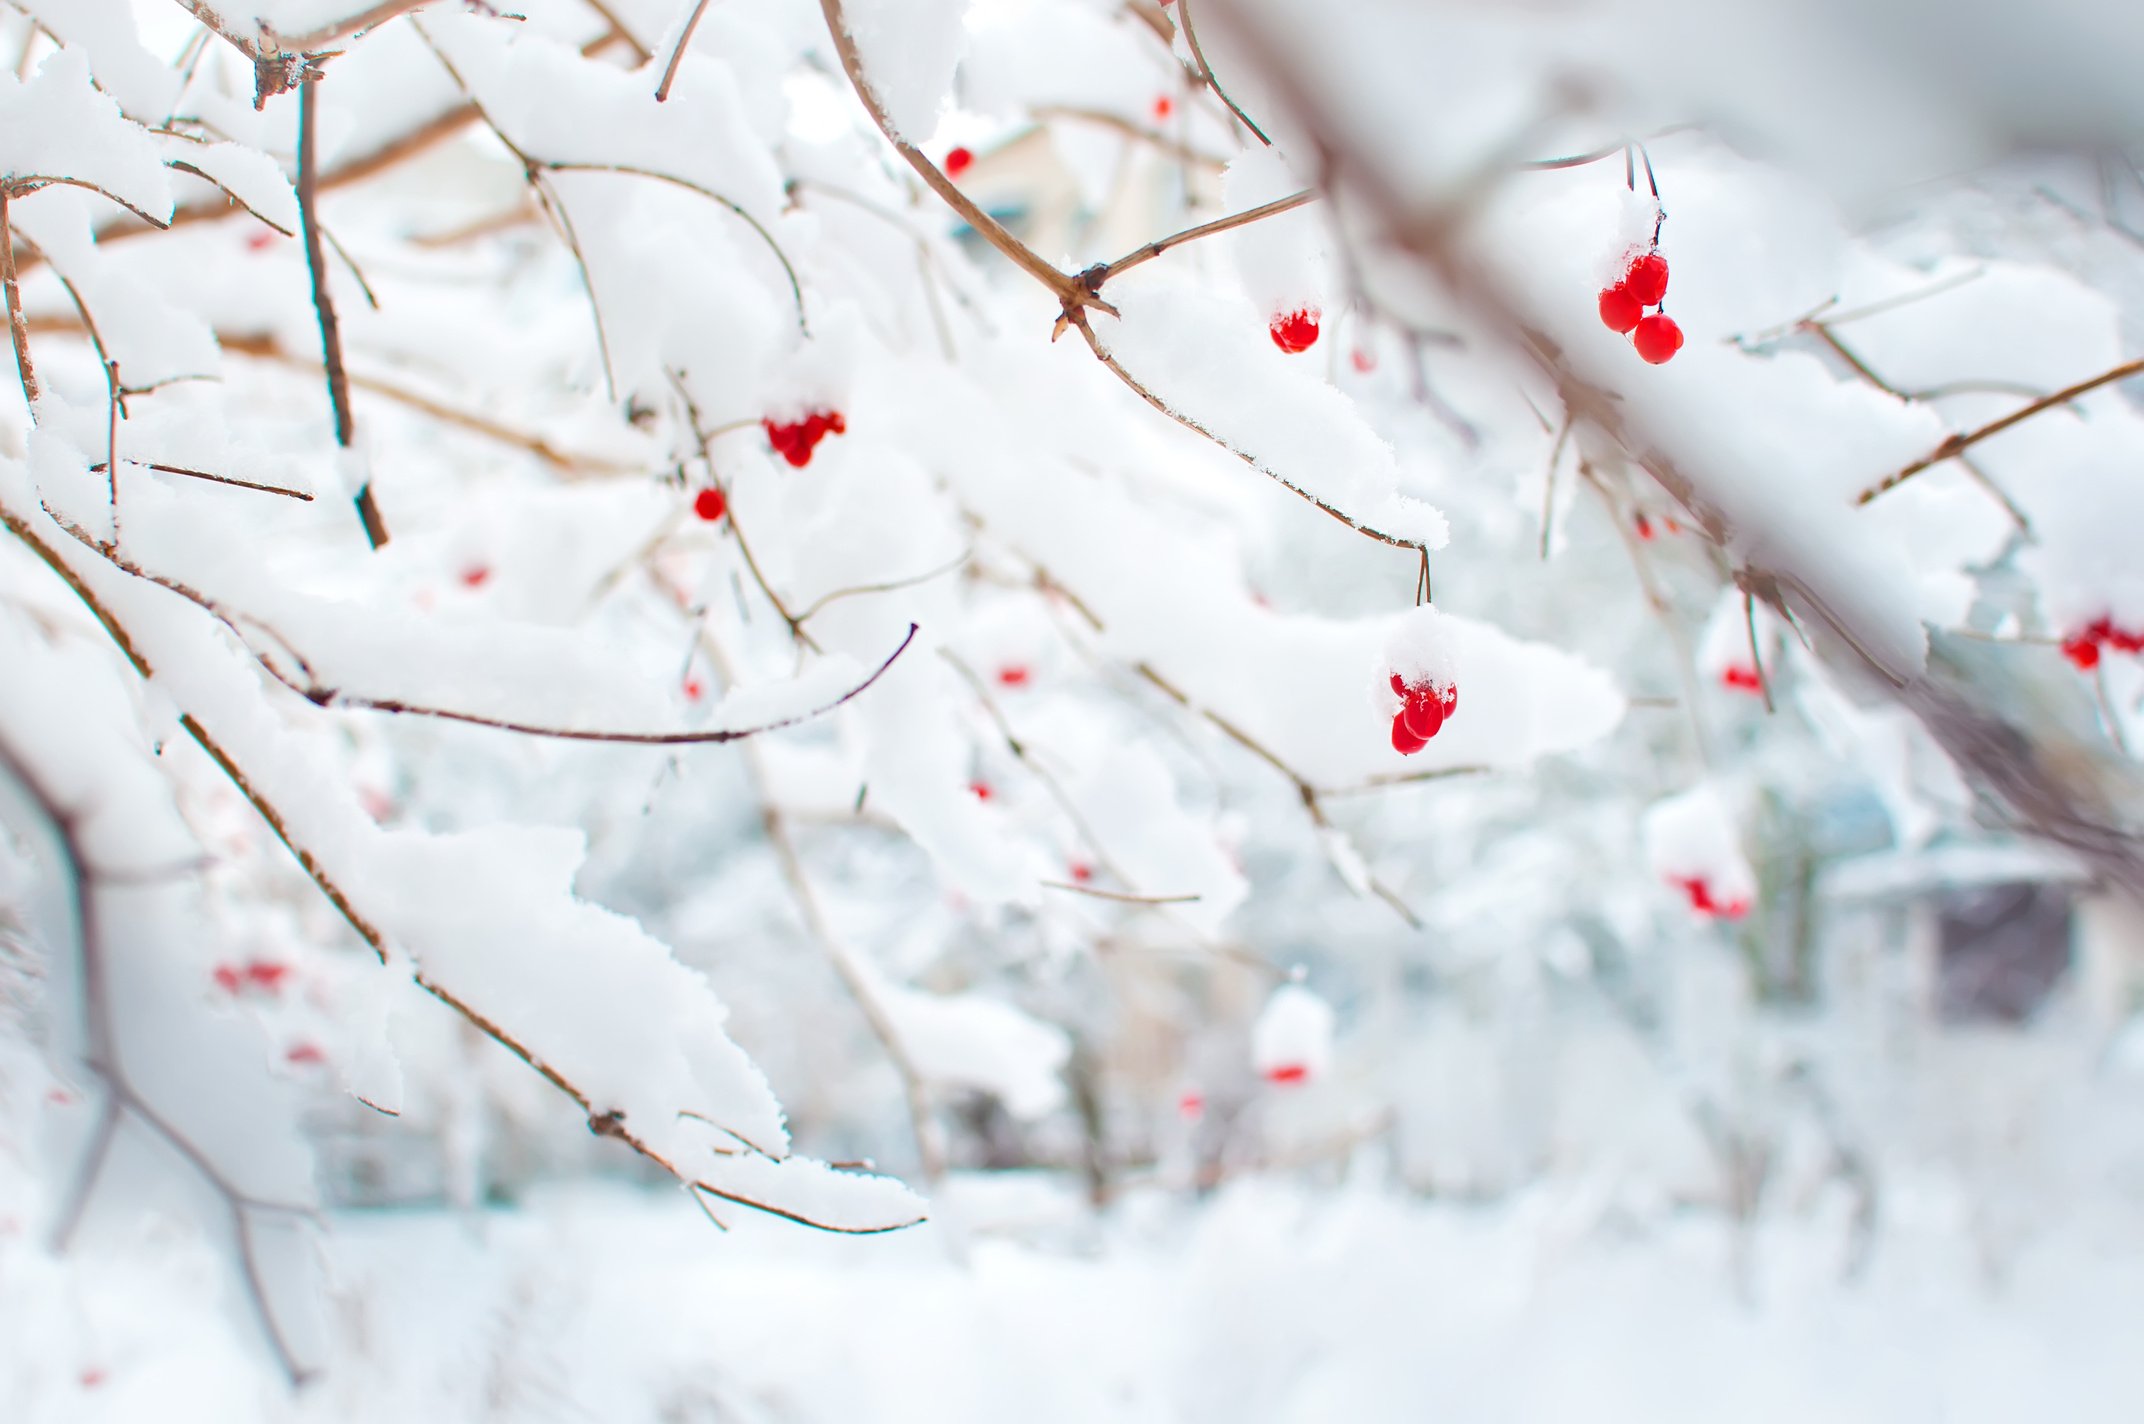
[(488, 921)]
